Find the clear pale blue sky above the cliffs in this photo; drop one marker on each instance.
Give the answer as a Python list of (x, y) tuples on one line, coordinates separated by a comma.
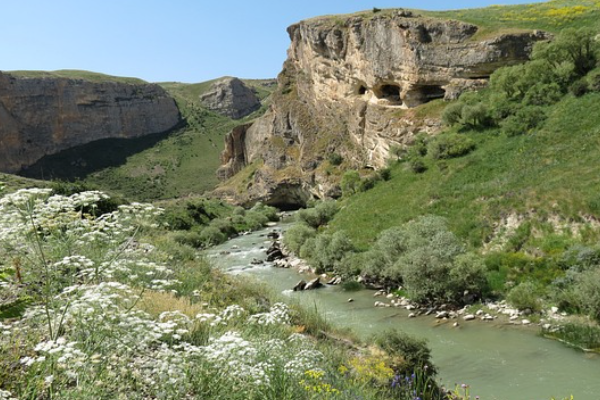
[(169, 40)]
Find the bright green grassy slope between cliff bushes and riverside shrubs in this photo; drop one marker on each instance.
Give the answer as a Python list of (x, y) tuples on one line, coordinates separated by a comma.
[(550, 172)]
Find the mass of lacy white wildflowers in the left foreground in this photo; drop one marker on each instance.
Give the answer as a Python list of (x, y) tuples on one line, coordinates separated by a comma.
[(86, 326)]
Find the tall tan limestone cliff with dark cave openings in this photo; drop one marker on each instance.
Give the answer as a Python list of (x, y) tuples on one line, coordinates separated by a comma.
[(351, 86)]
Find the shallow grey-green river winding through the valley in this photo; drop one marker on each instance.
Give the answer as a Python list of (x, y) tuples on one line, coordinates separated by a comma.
[(499, 362)]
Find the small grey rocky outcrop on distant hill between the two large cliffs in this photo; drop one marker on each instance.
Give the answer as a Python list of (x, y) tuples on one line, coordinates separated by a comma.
[(230, 97)]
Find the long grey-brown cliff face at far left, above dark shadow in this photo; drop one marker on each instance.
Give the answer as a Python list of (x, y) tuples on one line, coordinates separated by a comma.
[(41, 116)]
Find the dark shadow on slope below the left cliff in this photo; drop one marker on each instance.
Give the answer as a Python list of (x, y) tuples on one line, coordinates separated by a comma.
[(80, 161)]
